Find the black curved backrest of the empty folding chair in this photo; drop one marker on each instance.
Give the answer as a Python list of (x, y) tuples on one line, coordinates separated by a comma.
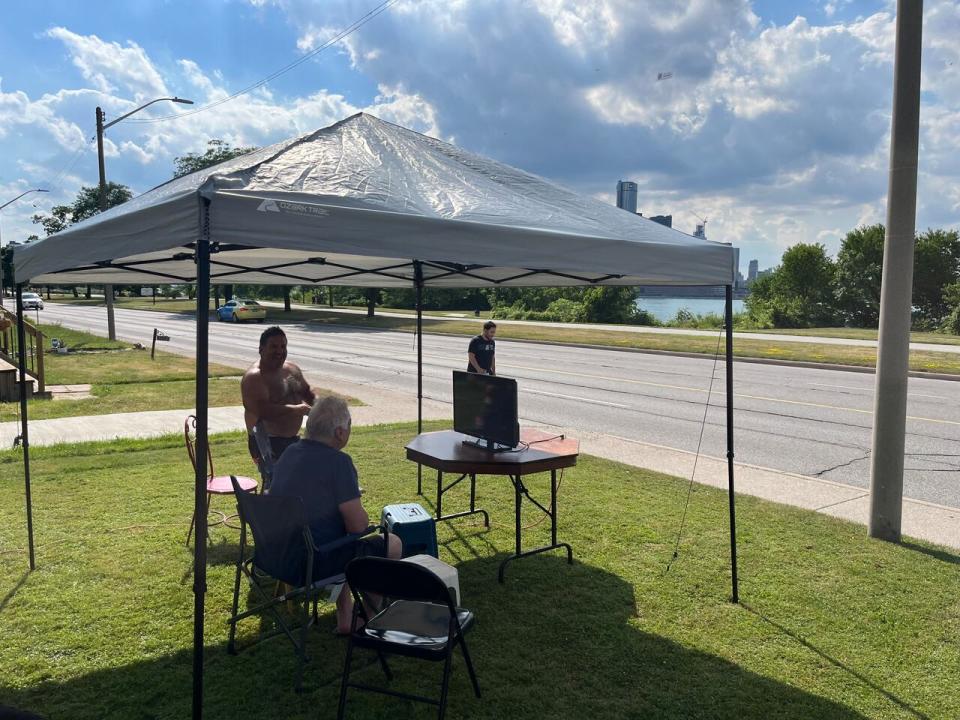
[(398, 580)]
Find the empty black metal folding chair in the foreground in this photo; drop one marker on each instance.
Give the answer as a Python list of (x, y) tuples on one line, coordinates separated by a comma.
[(421, 621)]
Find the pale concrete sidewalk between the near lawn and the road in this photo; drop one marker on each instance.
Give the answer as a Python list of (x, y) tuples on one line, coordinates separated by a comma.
[(927, 521)]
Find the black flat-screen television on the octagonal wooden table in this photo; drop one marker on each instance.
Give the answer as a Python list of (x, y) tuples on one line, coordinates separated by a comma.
[(485, 407)]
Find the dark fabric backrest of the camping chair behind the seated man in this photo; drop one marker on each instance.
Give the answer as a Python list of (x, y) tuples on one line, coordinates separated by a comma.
[(278, 525)]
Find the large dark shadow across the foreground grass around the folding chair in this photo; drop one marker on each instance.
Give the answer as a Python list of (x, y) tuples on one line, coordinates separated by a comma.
[(556, 641)]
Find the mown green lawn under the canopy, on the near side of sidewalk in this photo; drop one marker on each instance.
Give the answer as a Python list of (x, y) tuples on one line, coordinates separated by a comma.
[(833, 625)]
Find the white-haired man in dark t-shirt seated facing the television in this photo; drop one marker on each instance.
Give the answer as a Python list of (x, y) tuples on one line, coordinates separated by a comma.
[(317, 470)]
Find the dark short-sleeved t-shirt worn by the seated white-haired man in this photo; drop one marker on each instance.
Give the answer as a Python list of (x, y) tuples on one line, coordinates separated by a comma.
[(323, 478)]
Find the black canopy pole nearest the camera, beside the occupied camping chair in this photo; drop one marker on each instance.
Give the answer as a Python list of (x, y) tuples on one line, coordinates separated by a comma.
[(200, 486)]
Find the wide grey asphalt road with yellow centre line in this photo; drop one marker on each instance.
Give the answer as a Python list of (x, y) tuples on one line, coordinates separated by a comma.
[(807, 421)]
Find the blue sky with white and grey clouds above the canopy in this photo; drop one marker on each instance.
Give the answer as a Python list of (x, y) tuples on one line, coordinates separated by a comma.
[(774, 124)]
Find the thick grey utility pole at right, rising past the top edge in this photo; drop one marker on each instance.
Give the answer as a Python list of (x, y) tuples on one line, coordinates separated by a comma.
[(893, 351)]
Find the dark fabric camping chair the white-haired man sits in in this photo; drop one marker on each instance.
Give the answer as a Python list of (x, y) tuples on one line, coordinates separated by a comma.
[(284, 551)]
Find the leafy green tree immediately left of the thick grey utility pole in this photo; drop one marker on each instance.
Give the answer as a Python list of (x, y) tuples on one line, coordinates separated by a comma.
[(859, 273)]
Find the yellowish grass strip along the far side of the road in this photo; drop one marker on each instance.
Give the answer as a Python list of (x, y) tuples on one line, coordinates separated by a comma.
[(925, 361)]
